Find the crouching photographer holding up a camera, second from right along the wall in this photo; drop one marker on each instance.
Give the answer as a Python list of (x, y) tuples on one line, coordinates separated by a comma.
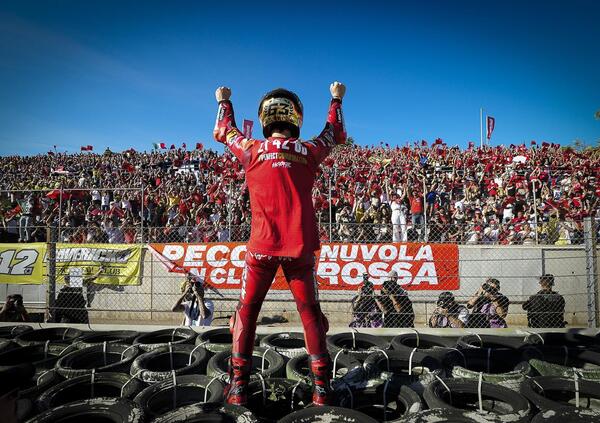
[(488, 306)]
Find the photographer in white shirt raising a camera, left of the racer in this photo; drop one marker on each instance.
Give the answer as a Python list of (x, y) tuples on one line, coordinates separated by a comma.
[(197, 311)]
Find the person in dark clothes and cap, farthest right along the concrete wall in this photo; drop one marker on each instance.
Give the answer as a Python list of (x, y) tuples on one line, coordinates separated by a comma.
[(546, 308)]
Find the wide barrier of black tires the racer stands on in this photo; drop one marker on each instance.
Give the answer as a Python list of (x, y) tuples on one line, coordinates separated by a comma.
[(175, 375)]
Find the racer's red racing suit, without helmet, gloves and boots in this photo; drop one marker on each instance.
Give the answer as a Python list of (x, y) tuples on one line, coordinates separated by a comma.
[(280, 174)]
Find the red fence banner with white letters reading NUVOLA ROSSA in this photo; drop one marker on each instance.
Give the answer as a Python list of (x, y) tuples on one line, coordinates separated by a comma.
[(339, 266)]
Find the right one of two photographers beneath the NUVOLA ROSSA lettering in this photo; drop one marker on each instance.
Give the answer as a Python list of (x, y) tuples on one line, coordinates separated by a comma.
[(394, 303)]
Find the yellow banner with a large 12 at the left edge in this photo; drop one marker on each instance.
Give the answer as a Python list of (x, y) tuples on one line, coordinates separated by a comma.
[(22, 263)]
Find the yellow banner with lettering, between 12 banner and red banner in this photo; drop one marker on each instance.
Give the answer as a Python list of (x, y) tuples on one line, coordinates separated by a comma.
[(110, 264)]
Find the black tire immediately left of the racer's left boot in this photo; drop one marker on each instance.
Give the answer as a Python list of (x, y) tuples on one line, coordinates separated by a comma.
[(157, 399)]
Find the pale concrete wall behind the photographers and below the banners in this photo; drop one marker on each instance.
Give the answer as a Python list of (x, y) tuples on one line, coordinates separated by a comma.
[(518, 269)]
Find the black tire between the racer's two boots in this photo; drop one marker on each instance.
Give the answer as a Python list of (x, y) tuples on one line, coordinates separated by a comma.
[(281, 396)]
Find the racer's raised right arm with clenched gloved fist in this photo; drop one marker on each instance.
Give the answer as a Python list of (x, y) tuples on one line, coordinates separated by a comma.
[(335, 131)]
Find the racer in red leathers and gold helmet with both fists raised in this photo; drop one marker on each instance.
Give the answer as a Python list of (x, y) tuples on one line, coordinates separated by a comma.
[(280, 173)]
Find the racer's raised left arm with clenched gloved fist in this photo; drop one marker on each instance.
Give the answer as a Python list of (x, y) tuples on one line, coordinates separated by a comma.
[(226, 131)]
